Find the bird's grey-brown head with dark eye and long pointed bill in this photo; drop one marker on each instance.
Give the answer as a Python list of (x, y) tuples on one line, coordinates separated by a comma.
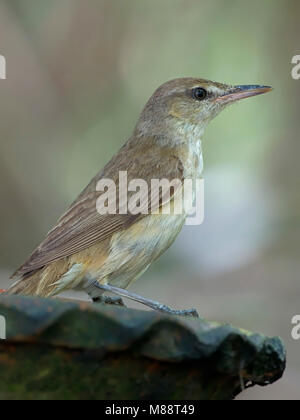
[(191, 103)]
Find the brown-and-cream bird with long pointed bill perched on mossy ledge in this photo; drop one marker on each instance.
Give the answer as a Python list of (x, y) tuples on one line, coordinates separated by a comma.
[(99, 253)]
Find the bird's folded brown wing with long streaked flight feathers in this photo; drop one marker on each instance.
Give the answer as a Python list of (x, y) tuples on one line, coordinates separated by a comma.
[(82, 226)]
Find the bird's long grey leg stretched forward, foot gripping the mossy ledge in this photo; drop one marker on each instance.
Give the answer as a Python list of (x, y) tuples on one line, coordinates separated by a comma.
[(148, 302)]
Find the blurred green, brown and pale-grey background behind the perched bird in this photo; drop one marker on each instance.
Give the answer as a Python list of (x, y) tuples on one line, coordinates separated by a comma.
[(79, 73)]
